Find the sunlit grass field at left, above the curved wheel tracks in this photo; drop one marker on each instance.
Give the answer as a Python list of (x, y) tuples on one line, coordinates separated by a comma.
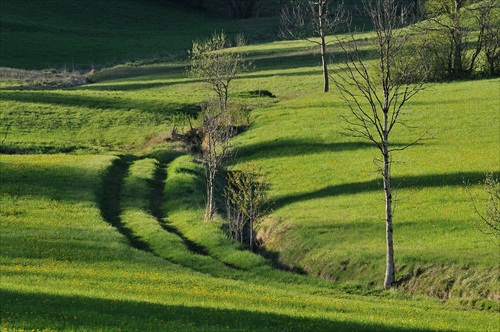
[(93, 117)]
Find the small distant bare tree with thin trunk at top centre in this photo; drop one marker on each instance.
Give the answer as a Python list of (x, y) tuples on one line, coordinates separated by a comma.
[(306, 19)]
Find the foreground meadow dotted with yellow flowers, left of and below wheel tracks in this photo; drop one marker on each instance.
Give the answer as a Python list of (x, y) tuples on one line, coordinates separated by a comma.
[(65, 268)]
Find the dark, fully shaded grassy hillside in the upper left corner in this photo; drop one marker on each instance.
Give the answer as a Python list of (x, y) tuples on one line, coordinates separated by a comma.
[(41, 34)]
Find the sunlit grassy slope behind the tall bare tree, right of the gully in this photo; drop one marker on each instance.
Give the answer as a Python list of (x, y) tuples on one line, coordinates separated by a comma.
[(328, 197)]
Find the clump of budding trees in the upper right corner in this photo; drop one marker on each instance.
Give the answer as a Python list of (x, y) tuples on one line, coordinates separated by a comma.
[(466, 37)]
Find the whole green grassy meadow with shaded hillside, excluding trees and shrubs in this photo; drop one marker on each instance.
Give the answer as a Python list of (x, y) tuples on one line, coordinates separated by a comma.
[(101, 216)]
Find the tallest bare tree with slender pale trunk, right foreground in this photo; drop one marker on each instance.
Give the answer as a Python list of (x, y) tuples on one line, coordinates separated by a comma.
[(376, 96)]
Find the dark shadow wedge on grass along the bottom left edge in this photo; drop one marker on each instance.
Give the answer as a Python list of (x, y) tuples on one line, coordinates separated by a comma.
[(59, 312)]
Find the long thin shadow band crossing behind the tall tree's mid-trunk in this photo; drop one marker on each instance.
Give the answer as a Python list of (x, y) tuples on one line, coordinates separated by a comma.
[(424, 181)]
